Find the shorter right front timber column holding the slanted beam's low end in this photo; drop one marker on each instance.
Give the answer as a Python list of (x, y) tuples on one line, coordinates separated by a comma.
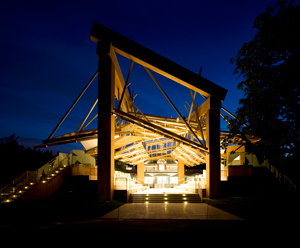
[(213, 177)]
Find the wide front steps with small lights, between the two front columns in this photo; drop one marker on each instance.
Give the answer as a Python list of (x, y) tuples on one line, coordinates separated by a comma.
[(164, 198)]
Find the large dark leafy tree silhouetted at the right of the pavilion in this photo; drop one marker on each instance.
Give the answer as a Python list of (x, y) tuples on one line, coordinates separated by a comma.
[(269, 68)]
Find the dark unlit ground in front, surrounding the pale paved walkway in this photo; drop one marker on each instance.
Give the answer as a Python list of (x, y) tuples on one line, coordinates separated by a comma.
[(75, 219)]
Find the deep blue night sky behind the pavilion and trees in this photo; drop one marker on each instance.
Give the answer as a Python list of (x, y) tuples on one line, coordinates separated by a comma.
[(47, 57)]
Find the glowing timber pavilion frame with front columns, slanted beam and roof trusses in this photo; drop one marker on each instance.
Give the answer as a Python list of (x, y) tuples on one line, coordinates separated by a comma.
[(125, 133)]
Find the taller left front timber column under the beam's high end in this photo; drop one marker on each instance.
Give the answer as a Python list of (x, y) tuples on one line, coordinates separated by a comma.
[(106, 122)]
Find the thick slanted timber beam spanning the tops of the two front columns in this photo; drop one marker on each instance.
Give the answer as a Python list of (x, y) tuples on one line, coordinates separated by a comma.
[(156, 62)]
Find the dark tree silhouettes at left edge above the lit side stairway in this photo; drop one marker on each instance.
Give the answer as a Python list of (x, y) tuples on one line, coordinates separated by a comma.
[(16, 158)]
